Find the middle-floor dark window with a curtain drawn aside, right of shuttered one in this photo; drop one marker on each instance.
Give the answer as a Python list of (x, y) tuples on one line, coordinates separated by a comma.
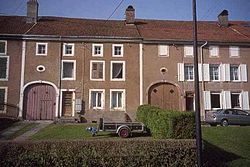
[(117, 70)]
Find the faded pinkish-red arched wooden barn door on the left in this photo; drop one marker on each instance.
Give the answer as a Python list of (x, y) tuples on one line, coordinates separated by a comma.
[(39, 102)]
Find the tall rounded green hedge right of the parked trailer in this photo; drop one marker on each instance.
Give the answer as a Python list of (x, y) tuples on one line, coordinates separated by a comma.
[(165, 124)]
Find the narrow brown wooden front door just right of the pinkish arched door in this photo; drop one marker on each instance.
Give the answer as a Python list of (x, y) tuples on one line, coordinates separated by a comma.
[(67, 101)]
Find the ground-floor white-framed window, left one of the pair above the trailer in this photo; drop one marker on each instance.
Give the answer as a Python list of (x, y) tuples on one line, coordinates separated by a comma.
[(96, 98)]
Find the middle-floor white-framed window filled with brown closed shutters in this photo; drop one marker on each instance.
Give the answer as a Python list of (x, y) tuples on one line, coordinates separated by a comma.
[(97, 70)]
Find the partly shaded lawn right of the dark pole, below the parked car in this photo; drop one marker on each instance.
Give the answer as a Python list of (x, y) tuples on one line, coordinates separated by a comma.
[(229, 145)]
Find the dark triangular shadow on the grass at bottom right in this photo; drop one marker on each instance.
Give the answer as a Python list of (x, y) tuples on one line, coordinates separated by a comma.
[(214, 156)]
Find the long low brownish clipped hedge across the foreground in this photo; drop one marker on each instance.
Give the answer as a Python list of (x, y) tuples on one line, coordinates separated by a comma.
[(127, 152)]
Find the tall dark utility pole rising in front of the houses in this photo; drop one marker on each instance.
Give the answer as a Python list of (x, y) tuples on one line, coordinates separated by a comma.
[(196, 87)]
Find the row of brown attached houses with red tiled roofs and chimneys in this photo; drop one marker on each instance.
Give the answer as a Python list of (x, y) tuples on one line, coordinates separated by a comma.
[(56, 67)]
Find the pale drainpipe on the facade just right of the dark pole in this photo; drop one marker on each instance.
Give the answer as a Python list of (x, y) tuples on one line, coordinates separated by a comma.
[(202, 82)]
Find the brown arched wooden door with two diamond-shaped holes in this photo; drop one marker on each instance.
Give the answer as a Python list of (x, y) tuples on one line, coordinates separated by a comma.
[(164, 95)]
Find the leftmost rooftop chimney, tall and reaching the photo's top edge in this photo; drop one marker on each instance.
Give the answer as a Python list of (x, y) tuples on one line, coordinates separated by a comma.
[(32, 11)]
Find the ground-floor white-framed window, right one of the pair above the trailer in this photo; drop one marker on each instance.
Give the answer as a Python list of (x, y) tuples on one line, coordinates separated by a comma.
[(117, 99)]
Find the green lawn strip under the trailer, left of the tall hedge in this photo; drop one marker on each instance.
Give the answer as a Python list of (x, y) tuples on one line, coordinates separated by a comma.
[(67, 132)]
